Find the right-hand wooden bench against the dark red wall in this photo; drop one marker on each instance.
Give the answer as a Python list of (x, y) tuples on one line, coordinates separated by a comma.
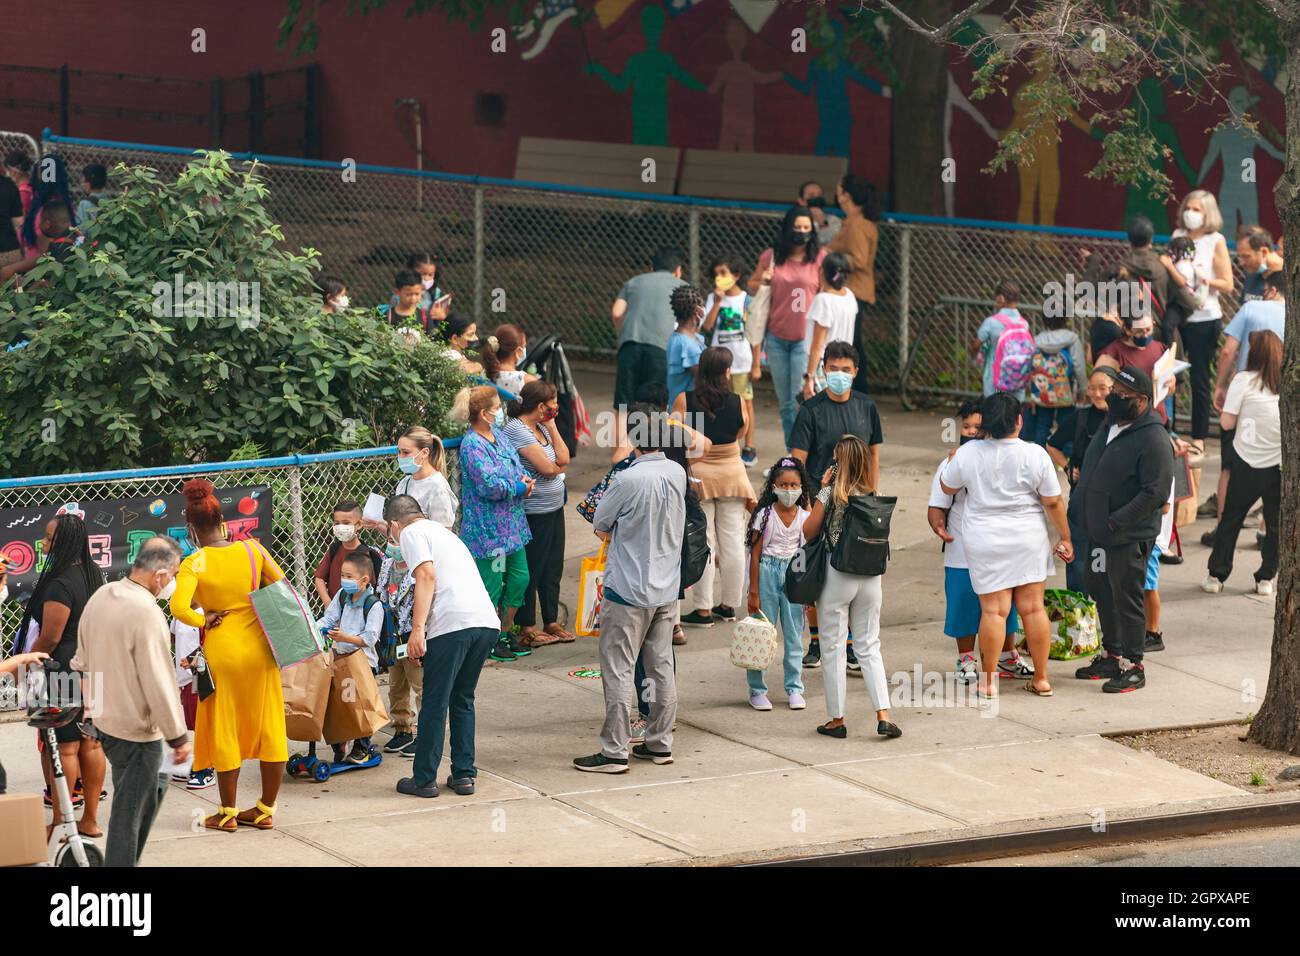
[(769, 178)]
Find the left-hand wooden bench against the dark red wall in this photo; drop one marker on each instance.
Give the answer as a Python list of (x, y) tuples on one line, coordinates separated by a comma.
[(596, 166)]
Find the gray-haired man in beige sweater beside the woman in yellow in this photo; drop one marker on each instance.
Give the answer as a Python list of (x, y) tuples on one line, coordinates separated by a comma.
[(124, 652)]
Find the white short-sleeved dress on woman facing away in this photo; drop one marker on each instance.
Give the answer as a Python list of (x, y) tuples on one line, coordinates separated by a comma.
[(1004, 527)]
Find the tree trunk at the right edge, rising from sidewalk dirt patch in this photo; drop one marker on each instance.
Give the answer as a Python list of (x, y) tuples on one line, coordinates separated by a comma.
[(1277, 726)]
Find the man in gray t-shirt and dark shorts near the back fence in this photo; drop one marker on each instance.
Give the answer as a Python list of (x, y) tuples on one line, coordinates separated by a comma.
[(644, 322)]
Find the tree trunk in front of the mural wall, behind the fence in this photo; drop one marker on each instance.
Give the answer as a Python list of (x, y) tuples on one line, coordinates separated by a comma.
[(917, 141)]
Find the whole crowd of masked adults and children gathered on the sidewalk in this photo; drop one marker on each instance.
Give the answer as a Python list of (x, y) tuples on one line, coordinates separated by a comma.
[(461, 579)]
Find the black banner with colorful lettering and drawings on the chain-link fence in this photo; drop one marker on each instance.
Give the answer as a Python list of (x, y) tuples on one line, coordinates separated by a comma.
[(119, 527)]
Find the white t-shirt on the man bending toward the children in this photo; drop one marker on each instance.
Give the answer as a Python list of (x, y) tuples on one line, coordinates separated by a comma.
[(460, 598)]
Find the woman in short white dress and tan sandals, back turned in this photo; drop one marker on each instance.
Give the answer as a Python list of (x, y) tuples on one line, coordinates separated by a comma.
[(1012, 491)]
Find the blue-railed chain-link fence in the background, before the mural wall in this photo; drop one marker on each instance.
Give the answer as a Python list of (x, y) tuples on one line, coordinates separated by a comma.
[(553, 258)]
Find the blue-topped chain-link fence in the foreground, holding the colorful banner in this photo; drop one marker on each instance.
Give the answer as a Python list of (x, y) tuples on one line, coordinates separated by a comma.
[(304, 490)]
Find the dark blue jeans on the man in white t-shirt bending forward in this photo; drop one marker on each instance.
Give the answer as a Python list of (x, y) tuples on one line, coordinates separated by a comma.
[(452, 667)]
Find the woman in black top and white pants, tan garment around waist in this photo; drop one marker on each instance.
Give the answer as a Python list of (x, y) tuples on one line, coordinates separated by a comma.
[(725, 490)]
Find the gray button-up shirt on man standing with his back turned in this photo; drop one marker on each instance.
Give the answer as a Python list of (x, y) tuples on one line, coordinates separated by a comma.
[(645, 509)]
